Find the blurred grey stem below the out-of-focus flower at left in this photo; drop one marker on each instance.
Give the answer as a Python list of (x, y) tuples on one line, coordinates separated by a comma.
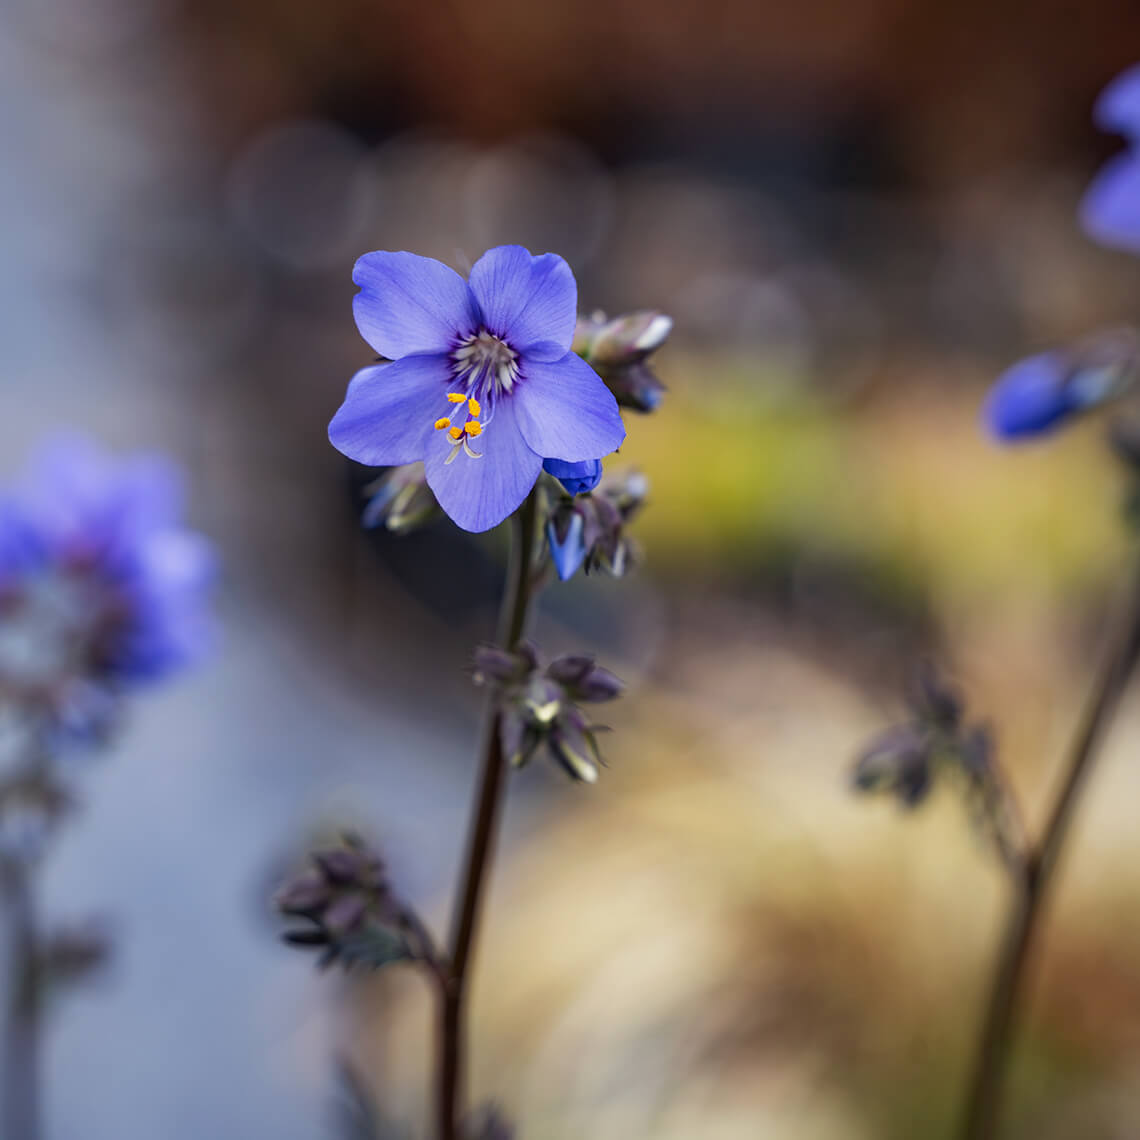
[(20, 1087)]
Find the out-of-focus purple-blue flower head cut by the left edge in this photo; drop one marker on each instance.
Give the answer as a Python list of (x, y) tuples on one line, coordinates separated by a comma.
[(100, 581)]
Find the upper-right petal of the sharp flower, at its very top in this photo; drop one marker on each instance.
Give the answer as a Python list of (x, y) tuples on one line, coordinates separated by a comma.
[(531, 303)]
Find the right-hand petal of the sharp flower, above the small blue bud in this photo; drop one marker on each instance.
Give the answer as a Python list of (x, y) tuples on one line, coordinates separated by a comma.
[(566, 411)]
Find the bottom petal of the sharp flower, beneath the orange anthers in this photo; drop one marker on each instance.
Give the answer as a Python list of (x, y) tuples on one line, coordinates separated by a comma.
[(479, 494)]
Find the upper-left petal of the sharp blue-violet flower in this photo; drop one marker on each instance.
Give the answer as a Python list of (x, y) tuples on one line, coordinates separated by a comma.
[(411, 305)]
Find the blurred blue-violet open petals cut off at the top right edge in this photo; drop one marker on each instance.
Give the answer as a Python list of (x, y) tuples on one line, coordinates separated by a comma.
[(1111, 209)]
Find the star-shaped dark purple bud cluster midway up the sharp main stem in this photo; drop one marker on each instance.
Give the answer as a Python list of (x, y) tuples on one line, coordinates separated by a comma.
[(540, 707)]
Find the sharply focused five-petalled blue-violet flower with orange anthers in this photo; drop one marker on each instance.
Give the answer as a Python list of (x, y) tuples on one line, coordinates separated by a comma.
[(482, 384)]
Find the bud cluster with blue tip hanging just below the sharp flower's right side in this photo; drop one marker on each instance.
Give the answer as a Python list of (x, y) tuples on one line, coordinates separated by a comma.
[(590, 531)]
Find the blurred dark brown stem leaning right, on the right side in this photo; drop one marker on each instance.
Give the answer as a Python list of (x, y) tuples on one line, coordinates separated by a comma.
[(983, 1108)]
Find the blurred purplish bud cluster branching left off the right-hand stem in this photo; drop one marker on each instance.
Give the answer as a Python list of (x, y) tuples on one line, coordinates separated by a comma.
[(935, 739)]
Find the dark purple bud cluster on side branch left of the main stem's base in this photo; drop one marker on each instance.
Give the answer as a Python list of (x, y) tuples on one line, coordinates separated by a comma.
[(354, 917)]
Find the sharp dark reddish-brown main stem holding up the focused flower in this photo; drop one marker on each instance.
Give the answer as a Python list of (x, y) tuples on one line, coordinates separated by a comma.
[(514, 620)]
